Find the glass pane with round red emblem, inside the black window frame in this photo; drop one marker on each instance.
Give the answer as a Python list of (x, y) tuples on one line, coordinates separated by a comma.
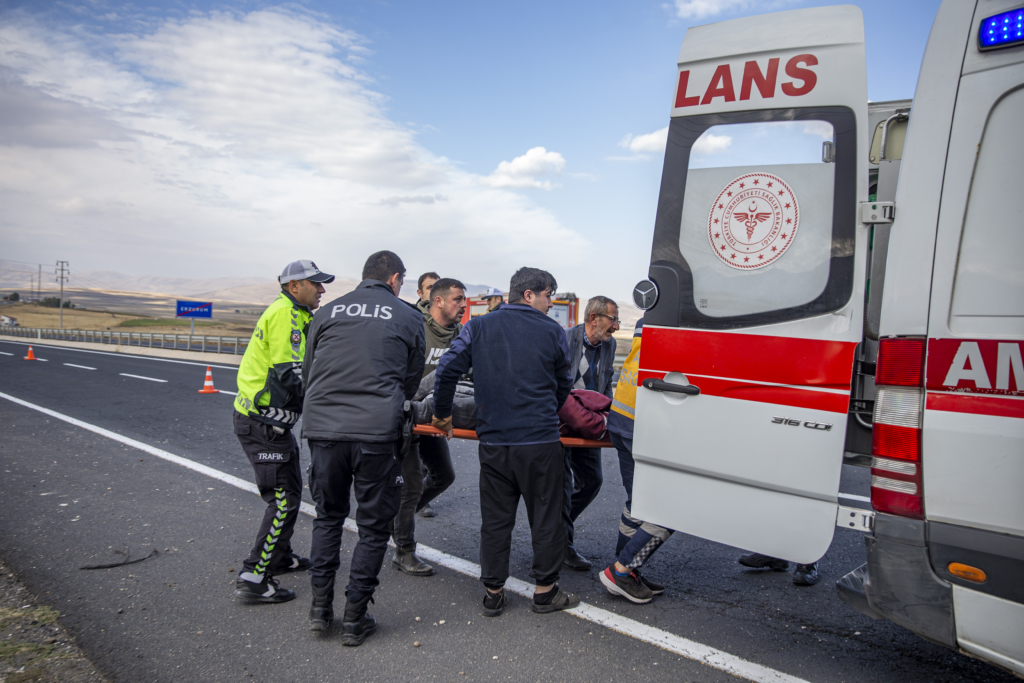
[(757, 218)]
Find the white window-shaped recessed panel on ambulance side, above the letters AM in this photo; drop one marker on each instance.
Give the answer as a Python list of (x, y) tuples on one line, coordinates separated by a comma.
[(989, 293)]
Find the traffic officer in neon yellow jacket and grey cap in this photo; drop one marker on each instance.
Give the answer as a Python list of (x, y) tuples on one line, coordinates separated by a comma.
[(267, 408)]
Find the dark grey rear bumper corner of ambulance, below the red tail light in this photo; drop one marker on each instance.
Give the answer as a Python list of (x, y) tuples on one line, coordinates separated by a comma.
[(898, 583)]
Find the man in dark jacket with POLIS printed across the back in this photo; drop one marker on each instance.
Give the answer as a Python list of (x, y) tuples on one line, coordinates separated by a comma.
[(364, 360)]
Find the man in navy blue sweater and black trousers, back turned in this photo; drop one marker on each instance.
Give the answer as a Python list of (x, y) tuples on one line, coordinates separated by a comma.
[(520, 358)]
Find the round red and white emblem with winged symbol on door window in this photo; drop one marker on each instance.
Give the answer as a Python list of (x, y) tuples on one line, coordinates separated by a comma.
[(753, 222)]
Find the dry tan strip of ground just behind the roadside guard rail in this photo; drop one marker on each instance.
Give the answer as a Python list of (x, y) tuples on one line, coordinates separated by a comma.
[(34, 316)]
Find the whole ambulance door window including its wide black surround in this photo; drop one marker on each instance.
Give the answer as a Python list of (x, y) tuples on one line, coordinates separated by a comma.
[(756, 219)]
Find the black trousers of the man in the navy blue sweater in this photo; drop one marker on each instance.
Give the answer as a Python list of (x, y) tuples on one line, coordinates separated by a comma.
[(535, 474)]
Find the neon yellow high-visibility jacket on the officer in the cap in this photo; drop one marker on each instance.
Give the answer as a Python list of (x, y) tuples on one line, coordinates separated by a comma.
[(271, 374)]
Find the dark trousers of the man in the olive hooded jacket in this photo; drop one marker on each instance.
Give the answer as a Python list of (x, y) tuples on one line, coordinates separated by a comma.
[(429, 453)]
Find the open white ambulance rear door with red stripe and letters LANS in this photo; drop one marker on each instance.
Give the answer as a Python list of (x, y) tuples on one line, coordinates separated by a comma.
[(755, 298)]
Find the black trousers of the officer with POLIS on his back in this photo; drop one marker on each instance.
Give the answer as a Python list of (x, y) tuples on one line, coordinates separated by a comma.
[(374, 473)]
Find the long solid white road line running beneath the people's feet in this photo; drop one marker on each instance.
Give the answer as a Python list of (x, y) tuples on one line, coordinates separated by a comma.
[(684, 647)]
